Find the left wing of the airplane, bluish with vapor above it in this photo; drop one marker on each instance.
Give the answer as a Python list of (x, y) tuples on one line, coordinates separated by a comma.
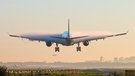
[(40, 37)]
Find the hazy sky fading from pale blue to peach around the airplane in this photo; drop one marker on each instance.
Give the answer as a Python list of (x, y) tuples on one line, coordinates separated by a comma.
[(21, 16)]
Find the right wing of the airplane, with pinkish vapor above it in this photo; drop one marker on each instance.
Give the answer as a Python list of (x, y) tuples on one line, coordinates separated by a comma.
[(96, 36)]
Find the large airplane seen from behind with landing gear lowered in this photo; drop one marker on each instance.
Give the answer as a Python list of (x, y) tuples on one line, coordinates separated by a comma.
[(66, 38)]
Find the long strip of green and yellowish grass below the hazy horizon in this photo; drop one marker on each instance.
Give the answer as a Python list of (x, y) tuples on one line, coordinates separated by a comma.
[(54, 73)]
